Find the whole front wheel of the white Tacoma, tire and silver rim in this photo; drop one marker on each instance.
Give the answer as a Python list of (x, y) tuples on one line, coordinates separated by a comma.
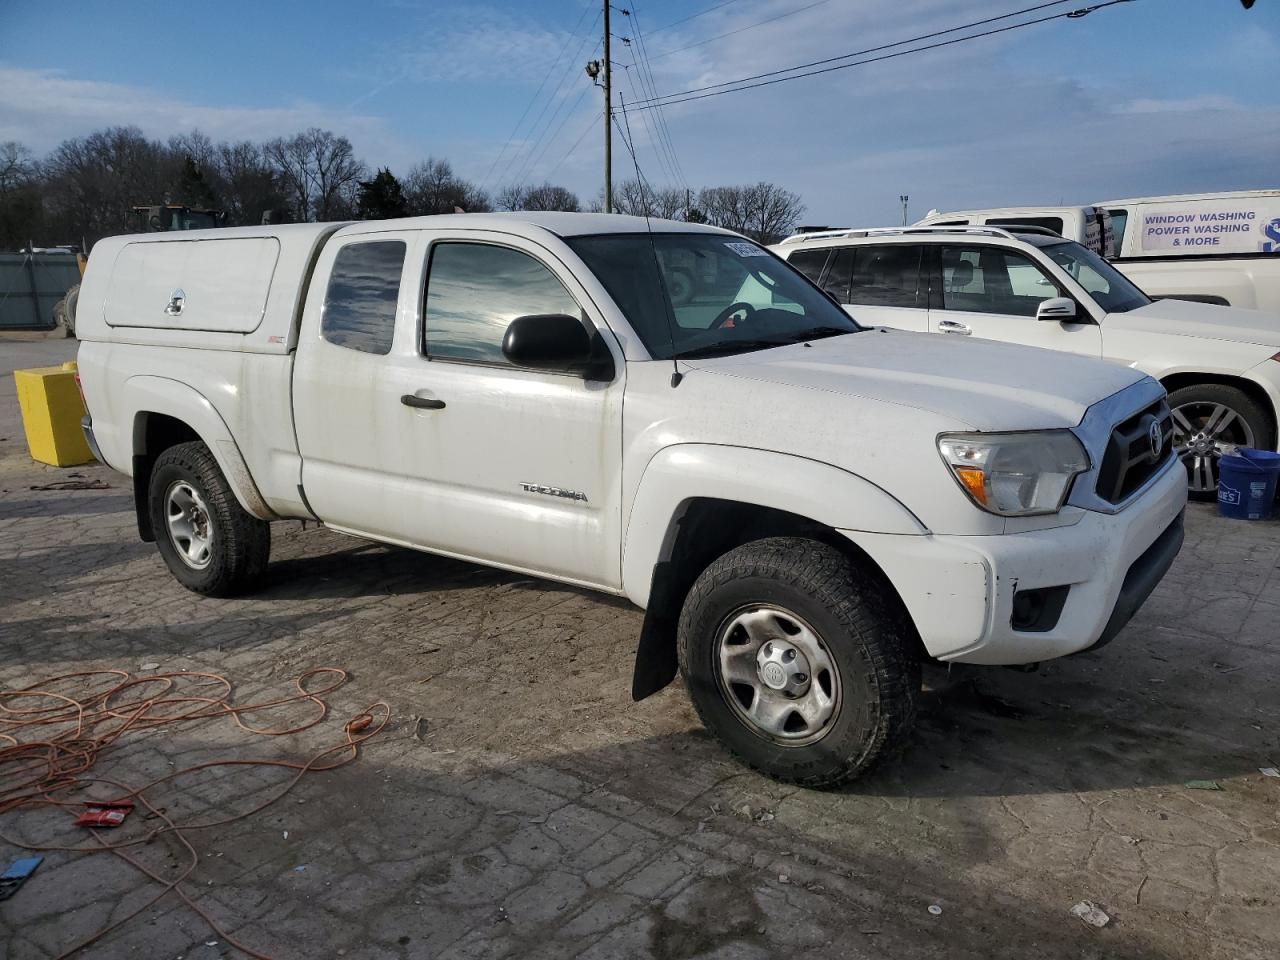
[(798, 664)]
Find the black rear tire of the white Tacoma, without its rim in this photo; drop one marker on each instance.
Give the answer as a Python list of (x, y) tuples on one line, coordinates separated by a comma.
[(241, 543)]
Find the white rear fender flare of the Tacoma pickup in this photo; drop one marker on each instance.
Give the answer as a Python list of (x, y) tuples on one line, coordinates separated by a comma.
[(177, 400)]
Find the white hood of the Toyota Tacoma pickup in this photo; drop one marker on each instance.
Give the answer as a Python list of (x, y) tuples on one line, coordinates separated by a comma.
[(982, 385)]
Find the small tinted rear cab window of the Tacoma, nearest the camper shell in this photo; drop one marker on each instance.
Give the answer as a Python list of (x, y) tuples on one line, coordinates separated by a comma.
[(360, 303)]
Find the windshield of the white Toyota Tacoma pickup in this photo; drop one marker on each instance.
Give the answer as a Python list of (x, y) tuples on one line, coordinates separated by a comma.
[(708, 294)]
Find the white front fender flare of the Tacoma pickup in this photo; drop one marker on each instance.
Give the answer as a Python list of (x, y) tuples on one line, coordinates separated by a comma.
[(683, 473)]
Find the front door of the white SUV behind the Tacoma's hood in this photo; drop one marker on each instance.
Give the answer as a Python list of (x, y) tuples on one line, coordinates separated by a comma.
[(985, 290)]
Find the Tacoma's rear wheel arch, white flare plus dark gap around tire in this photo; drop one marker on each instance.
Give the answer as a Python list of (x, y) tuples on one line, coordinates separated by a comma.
[(166, 413)]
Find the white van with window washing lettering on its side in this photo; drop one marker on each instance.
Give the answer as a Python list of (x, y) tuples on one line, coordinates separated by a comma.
[(1210, 248)]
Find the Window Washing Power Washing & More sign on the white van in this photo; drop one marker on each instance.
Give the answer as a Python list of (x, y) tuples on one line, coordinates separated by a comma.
[(1205, 228)]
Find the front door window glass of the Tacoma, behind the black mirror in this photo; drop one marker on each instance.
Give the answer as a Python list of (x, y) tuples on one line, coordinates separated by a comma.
[(474, 291)]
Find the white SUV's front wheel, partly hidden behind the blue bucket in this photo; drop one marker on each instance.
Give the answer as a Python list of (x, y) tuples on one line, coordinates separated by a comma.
[(1212, 420)]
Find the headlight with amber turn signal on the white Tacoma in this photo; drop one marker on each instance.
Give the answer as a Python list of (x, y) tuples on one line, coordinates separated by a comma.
[(1016, 476)]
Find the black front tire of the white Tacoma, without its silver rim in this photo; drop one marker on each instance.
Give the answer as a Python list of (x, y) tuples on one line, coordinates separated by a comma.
[(866, 630)]
